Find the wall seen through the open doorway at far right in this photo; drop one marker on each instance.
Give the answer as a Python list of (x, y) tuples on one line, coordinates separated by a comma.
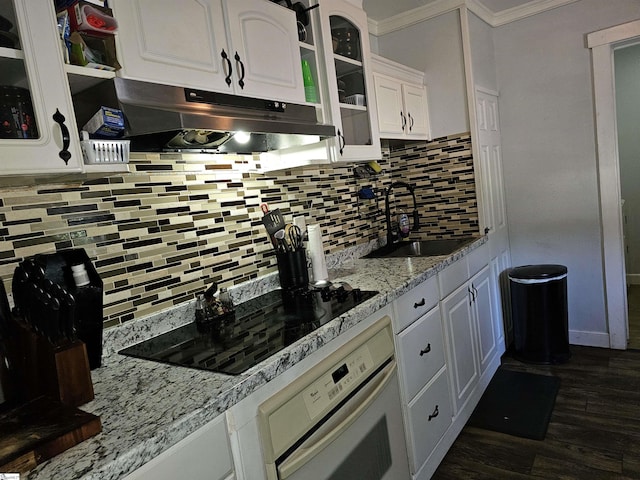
[(627, 75)]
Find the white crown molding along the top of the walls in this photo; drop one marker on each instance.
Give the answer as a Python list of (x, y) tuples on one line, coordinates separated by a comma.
[(438, 7)]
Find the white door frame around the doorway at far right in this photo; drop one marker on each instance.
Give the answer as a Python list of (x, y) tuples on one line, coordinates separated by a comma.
[(602, 44)]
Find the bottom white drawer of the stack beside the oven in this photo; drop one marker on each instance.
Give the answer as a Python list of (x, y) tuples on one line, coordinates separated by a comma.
[(430, 416)]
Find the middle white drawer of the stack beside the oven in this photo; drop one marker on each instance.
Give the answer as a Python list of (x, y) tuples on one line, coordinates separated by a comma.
[(421, 352)]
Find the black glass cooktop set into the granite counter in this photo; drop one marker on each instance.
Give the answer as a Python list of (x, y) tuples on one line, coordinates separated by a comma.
[(258, 328)]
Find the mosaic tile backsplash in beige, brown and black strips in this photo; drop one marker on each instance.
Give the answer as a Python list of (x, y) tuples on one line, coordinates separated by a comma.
[(163, 232)]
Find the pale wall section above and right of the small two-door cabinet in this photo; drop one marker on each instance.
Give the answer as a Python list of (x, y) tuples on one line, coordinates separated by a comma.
[(435, 47)]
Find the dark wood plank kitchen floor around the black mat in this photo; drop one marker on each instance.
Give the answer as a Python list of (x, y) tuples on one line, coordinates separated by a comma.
[(594, 433)]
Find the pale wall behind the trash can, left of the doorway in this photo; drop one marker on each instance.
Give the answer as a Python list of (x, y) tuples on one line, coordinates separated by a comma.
[(546, 104)]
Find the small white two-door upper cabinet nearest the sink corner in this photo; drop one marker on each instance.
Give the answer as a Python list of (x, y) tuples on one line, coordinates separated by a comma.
[(401, 98)]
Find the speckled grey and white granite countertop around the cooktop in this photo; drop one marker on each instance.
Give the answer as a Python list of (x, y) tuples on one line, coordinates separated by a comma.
[(145, 406)]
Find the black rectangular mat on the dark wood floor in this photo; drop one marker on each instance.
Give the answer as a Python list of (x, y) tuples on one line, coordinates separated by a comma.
[(517, 403)]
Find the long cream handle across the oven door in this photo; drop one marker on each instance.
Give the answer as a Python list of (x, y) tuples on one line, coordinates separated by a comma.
[(306, 452)]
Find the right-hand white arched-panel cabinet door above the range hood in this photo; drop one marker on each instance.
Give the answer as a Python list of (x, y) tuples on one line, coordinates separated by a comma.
[(266, 56)]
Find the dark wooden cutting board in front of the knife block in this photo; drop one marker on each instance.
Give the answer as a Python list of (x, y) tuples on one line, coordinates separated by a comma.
[(40, 429)]
